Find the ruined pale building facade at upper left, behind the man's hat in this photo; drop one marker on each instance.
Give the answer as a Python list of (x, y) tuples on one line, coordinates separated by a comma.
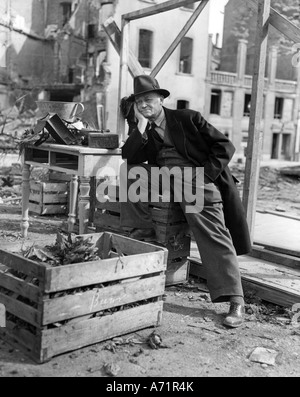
[(59, 49)]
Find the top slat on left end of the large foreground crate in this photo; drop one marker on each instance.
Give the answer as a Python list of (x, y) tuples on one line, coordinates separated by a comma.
[(23, 265)]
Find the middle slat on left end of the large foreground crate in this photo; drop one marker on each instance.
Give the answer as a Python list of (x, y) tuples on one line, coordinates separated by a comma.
[(21, 310)]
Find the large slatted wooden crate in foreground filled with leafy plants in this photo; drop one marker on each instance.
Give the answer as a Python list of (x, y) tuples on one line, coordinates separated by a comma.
[(53, 310)]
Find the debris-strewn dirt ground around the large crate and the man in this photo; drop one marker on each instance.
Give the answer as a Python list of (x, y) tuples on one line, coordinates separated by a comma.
[(195, 343)]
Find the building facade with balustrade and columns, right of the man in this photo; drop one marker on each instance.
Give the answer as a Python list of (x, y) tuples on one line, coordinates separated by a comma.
[(228, 94)]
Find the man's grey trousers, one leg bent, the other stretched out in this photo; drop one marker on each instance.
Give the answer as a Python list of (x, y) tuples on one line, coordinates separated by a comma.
[(207, 224)]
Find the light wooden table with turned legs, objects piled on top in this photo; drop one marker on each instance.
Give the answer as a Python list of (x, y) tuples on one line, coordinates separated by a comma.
[(81, 162)]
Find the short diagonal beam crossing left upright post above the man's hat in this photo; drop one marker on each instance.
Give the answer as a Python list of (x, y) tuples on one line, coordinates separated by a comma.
[(114, 34)]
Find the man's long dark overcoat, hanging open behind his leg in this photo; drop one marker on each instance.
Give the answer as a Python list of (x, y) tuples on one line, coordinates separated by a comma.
[(201, 143)]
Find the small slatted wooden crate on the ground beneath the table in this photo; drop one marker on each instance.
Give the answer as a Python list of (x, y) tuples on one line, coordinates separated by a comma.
[(49, 198)]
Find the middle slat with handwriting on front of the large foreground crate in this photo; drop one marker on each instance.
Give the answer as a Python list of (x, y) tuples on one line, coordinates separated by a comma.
[(99, 299)]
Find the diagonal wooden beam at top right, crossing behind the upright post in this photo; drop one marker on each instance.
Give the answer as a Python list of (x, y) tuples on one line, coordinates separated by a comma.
[(280, 23)]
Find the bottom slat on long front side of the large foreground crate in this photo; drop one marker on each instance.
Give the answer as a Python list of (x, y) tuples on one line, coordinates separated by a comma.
[(95, 330)]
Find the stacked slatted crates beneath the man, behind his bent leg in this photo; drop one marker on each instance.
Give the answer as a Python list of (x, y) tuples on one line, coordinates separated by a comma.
[(172, 232)]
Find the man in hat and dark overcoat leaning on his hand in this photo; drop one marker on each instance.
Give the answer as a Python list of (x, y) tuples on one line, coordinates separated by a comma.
[(183, 138)]
